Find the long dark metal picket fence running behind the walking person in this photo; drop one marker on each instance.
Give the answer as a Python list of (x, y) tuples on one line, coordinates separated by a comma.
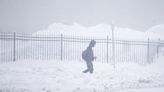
[(14, 47)]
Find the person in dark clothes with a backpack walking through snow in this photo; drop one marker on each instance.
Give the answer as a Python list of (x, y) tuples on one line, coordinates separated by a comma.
[(88, 56)]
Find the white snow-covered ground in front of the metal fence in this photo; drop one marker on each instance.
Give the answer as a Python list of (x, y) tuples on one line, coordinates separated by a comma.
[(67, 76)]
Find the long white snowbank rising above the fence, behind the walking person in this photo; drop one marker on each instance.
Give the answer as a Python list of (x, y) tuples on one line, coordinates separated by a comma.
[(100, 30)]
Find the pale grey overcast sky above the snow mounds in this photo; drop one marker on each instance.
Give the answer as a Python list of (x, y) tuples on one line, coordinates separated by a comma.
[(26, 16)]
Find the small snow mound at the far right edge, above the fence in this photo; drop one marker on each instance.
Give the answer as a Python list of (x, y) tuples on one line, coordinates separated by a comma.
[(157, 30)]
